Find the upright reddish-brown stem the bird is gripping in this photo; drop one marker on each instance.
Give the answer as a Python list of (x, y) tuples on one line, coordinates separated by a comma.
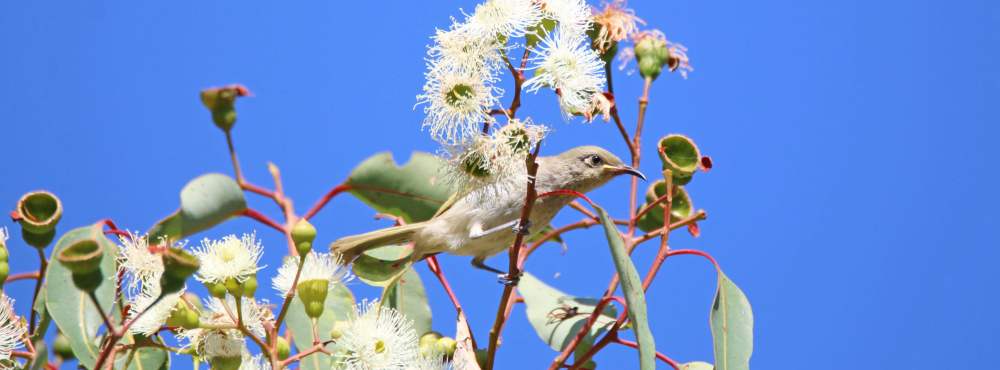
[(514, 258)]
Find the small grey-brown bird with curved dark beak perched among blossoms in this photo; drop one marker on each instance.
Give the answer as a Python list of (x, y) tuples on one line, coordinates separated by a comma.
[(484, 221)]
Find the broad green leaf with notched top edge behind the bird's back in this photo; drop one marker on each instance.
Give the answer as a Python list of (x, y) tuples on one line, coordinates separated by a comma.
[(414, 191)]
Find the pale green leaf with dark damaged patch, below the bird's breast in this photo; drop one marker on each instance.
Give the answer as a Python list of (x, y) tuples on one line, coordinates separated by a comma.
[(547, 310)]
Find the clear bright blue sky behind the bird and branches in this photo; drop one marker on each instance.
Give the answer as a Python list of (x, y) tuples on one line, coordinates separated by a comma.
[(853, 198)]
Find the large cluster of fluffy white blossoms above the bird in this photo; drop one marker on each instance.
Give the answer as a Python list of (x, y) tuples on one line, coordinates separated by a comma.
[(464, 65)]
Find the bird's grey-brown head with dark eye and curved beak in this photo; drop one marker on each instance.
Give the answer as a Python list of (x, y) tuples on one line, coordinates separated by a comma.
[(588, 167)]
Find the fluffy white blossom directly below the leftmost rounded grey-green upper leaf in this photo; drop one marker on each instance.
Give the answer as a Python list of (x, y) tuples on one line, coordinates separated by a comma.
[(230, 257)]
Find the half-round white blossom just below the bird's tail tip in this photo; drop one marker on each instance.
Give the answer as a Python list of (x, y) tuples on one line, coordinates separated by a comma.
[(318, 266)]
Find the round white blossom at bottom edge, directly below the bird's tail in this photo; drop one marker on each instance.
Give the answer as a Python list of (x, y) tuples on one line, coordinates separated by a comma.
[(378, 338)]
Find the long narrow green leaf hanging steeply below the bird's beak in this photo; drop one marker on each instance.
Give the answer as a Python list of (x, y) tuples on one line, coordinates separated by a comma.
[(634, 295)]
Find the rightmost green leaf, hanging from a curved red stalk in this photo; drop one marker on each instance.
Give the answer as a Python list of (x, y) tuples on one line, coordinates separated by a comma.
[(732, 326)]
